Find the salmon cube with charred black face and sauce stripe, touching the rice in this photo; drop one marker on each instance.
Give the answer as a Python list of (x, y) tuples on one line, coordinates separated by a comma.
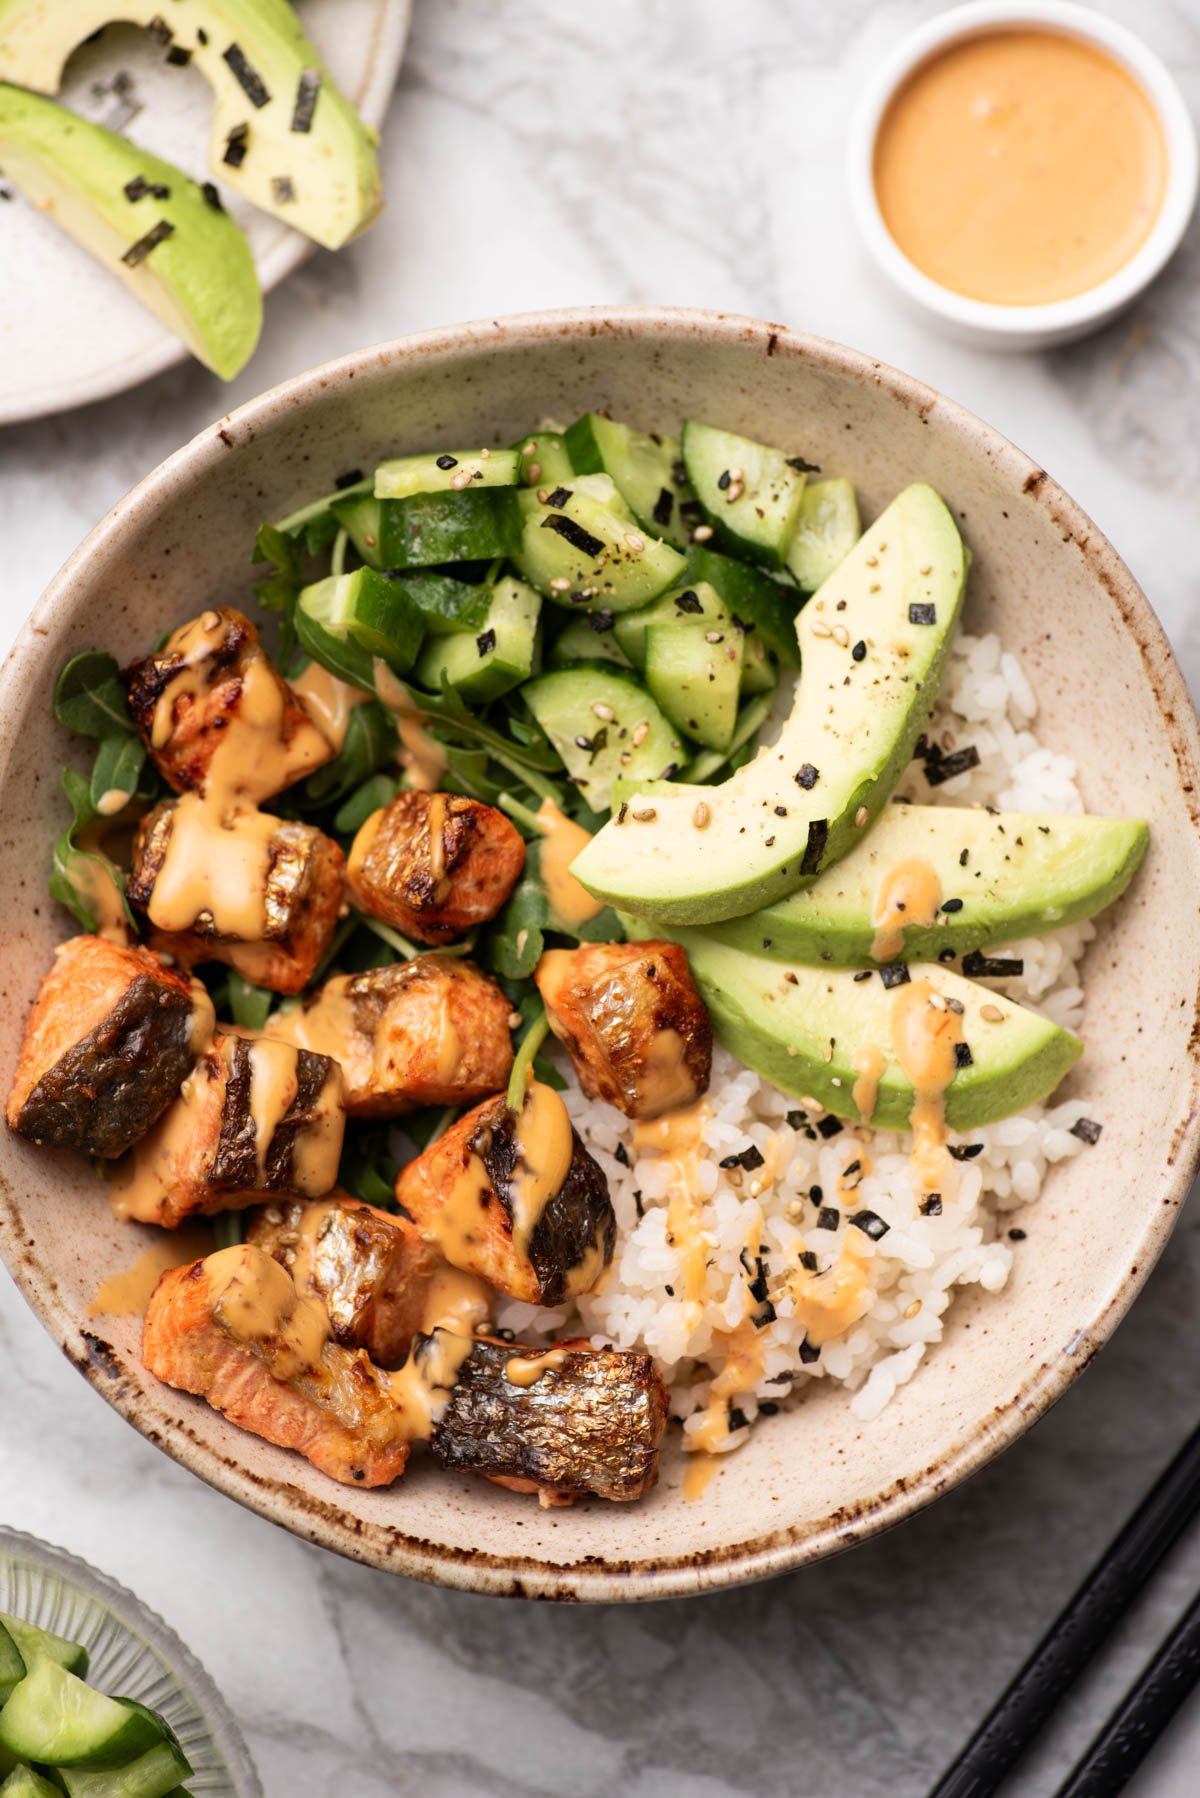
[(515, 1198)]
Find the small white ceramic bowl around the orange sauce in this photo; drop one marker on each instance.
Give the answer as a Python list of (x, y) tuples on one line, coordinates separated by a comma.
[(1055, 321)]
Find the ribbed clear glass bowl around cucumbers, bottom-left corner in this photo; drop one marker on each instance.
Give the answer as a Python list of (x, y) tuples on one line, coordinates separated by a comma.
[(132, 1653)]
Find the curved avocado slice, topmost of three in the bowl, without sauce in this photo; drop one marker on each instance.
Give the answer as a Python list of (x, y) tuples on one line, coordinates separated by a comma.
[(873, 646)]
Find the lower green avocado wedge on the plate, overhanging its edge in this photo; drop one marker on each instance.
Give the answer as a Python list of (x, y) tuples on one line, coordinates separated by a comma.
[(145, 220)]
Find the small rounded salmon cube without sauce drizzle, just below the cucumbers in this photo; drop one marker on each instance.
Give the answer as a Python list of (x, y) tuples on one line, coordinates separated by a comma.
[(434, 866)]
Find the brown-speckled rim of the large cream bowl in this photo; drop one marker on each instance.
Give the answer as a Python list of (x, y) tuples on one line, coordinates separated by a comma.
[(386, 1545)]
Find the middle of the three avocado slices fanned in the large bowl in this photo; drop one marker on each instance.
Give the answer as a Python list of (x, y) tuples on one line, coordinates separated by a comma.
[(1005, 875)]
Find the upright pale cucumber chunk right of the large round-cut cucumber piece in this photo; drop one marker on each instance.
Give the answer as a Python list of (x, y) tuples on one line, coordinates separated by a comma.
[(694, 664)]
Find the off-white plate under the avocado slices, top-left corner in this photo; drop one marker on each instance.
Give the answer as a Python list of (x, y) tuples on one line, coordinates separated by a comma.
[(71, 334)]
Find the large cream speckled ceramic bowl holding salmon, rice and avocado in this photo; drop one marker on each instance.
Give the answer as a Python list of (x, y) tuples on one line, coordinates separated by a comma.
[(810, 1481)]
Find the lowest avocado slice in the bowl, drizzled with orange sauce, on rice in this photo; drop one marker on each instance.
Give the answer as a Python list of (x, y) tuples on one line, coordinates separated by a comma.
[(784, 1019)]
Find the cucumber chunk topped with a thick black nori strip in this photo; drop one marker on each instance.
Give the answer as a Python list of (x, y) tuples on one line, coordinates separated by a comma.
[(584, 547)]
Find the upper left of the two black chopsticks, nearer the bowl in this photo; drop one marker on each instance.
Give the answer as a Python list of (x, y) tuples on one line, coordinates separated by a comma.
[(1079, 1632)]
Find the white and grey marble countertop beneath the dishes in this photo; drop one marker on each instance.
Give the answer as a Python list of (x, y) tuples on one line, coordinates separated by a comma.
[(542, 156)]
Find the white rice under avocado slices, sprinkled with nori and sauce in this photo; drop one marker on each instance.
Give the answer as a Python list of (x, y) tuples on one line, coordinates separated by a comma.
[(920, 1265)]
